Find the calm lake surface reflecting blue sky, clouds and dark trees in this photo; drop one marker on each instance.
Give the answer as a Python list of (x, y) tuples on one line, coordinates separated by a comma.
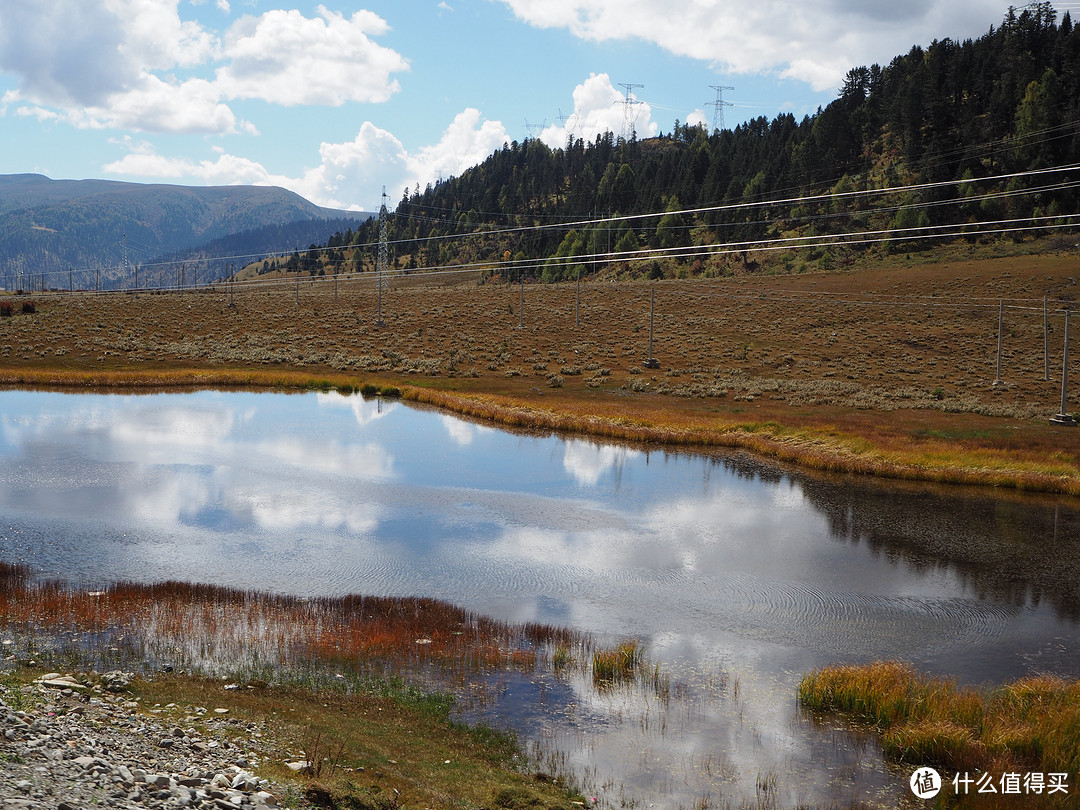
[(737, 576)]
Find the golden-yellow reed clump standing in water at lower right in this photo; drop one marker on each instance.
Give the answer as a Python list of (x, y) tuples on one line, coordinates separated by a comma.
[(1033, 724)]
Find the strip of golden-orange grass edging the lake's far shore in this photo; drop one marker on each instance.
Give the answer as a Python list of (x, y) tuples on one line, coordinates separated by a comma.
[(659, 421)]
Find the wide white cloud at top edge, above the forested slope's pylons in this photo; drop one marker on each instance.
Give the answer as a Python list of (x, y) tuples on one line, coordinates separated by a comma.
[(815, 43)]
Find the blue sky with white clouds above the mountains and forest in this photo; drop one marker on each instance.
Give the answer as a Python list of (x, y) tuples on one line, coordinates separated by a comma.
[(339, 101)]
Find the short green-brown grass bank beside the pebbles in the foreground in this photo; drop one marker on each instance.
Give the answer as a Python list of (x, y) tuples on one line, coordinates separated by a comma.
[(372, 751)]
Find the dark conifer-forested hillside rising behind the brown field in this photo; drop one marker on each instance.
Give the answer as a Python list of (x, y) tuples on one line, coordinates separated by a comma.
[(962, 129)]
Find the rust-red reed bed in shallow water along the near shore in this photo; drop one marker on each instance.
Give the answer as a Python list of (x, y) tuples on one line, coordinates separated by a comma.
[(254, 636)]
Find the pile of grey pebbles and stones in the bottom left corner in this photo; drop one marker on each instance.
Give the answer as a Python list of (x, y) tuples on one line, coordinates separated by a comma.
[(76, 748)]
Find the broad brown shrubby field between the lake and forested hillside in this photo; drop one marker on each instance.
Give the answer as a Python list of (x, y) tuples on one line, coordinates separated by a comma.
[(885, 372)]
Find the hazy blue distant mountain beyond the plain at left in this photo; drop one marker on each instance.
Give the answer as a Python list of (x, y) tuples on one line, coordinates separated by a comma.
[(91, 228)]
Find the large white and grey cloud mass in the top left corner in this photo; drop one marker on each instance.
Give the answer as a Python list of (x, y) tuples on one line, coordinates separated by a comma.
[(111, 64)]
